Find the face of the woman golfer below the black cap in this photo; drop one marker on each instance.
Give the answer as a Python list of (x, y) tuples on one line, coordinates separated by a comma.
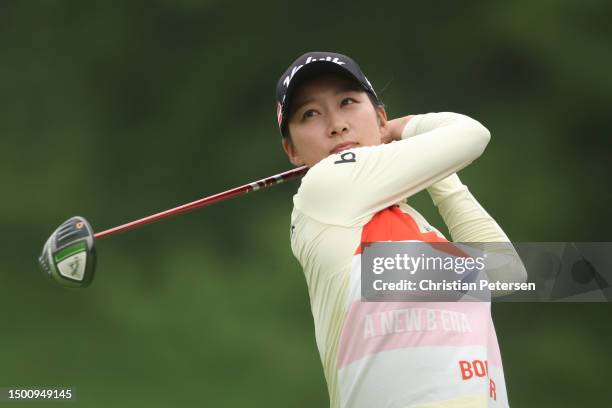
[(329, 114)]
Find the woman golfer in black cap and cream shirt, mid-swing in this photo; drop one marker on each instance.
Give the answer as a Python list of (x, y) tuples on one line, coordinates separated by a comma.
[(362, 167)]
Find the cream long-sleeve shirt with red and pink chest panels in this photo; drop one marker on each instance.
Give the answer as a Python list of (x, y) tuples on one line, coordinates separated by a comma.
[(358, 195)]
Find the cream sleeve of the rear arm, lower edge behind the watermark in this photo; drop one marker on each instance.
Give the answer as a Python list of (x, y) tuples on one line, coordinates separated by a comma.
[(468, 221)]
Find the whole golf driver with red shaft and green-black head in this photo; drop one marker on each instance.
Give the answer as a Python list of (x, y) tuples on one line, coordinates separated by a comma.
[(69, 255)]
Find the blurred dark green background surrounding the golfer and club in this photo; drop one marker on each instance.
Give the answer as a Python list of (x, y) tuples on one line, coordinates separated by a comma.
[(116, 110)]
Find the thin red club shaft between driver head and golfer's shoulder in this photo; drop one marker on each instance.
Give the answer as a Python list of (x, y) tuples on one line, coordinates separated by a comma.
[(234, 192)]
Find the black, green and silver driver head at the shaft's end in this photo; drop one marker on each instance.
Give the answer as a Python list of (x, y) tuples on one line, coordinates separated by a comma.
[(69, 256)]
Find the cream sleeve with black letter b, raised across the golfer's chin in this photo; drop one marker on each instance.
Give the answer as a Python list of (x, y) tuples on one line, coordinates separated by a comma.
[(347, 188)]
